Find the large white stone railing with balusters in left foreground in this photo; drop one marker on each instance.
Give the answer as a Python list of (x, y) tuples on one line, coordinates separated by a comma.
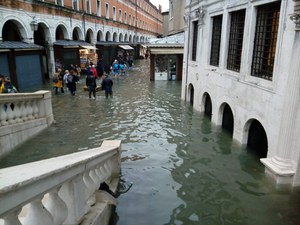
[(61, 190)]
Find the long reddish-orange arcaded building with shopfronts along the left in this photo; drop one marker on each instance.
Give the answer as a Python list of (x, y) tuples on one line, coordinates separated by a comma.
[(42, 35)]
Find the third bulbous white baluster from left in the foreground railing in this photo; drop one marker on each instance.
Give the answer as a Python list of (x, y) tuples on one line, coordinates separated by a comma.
[(57, 207)]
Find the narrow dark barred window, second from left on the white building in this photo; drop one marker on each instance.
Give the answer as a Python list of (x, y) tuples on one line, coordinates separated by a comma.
[(216, 40)]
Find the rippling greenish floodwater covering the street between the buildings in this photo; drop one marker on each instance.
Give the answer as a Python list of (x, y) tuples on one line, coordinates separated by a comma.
[(177, 167)]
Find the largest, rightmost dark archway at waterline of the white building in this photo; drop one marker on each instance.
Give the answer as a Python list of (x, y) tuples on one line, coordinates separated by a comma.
[(257, 139)]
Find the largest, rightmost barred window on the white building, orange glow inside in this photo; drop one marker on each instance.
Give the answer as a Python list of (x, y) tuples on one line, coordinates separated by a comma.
[(267, 22)]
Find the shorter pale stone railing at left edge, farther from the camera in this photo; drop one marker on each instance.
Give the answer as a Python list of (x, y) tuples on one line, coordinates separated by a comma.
[(23, 115)]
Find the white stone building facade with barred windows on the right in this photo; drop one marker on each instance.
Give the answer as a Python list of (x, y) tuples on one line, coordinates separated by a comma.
[(241, 68)]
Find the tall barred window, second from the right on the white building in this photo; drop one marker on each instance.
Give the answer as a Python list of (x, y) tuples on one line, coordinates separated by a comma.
[(236, 40)]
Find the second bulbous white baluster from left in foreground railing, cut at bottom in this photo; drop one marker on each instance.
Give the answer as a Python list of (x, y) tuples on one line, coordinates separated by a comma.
[(38, 214)]
